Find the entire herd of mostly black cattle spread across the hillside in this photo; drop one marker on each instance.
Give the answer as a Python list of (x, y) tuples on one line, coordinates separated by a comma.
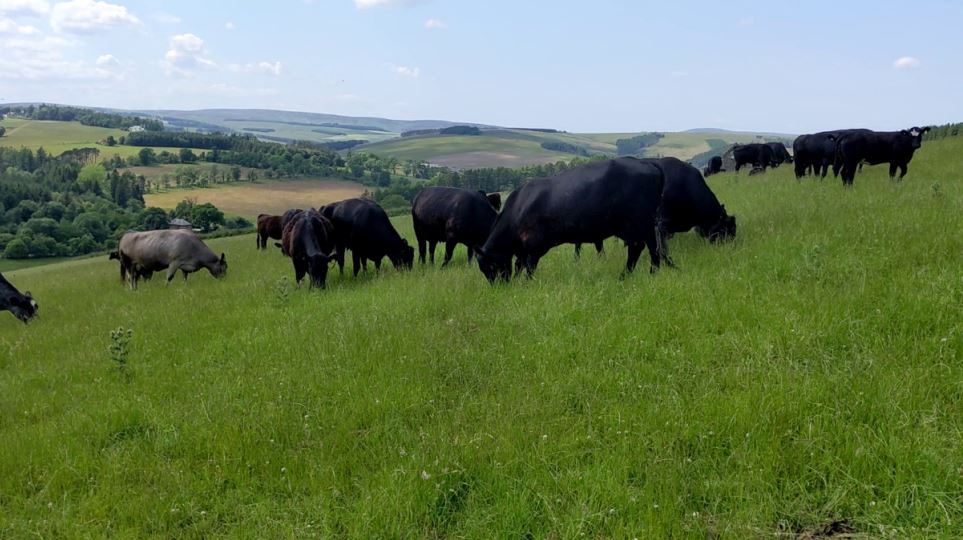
[(640, 201)]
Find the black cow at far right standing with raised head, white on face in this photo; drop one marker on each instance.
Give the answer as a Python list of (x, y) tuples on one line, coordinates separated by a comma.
[(875, 147)]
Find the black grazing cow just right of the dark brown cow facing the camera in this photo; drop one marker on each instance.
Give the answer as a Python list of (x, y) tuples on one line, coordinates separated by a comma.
[(363, 227)]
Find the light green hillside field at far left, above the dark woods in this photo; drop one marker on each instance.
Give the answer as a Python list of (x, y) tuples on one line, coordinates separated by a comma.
[(58, 137)]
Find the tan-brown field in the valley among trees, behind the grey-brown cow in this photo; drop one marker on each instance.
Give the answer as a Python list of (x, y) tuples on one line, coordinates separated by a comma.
[(249, 200)]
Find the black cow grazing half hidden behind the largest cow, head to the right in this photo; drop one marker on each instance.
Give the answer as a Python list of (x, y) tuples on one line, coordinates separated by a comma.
[(687, 202)]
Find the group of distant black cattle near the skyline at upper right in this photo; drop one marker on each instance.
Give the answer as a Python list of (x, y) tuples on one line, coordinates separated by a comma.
[(845, 149)]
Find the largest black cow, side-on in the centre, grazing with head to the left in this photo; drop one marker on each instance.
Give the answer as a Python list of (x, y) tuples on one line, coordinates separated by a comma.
[(616, 197)]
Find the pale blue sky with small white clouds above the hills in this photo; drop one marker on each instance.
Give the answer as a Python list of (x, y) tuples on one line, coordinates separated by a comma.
[(600, 66)]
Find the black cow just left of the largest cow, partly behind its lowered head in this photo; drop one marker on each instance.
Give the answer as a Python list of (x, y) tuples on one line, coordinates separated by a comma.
[(453, 216)]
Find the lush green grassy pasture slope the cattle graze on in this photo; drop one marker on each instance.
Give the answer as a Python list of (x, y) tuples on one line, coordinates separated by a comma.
[(805, 378)]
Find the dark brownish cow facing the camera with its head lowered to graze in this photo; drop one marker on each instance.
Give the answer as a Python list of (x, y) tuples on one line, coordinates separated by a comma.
[(309, 240)]
